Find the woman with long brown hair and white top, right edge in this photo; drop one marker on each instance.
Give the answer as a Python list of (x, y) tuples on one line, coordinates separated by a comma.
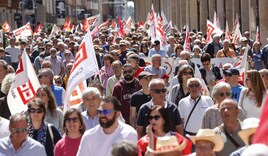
[(252, 99)]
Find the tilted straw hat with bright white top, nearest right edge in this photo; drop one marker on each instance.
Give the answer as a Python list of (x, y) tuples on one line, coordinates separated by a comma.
[(249, 127)]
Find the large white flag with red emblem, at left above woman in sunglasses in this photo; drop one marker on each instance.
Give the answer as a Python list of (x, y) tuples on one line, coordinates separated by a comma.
[(24, 87)]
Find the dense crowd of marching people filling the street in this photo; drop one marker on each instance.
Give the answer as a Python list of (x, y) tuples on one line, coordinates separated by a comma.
[(131, 107)]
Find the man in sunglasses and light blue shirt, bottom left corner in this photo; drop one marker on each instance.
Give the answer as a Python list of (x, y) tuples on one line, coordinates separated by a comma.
[(18, 143)]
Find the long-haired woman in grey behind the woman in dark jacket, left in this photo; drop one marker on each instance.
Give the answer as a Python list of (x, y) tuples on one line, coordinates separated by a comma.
[(53, 114)]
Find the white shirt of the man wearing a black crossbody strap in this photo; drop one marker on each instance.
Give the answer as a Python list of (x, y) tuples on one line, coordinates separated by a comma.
[(186, 105)]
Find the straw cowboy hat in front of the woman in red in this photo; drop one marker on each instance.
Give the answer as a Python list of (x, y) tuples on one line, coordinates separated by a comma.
[(167, 144)]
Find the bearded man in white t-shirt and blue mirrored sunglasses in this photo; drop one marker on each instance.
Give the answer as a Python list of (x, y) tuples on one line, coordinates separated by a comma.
[(99, 140)]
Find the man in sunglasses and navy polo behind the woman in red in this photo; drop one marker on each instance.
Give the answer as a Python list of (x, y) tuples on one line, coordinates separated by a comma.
[(157, 91)]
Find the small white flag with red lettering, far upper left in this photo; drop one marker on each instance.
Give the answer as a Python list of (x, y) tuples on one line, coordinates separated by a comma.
[(23, 32)]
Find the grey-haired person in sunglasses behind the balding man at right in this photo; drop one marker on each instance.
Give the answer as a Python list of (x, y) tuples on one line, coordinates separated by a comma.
[(212, 117)]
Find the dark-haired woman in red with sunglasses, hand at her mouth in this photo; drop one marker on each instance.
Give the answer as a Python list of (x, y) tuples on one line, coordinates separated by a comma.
[(159, 126)]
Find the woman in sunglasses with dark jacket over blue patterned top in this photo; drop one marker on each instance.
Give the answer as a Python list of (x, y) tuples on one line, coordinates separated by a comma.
[(39, 130)]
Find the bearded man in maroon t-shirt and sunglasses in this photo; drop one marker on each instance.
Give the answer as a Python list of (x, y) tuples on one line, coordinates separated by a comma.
[(125, 88)]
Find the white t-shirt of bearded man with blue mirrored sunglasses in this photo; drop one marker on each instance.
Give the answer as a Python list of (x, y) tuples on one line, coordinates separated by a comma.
[(96, 143)]
